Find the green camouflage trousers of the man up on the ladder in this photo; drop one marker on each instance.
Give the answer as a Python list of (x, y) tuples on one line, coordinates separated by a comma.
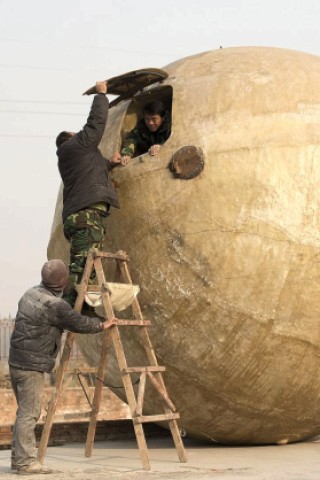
[(84, 229)]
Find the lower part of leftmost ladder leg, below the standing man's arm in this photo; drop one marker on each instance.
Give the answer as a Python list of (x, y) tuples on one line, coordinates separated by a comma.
[(54, 399)]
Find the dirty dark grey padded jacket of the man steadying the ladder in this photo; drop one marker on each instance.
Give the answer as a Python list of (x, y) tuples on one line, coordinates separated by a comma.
[(42, 316)]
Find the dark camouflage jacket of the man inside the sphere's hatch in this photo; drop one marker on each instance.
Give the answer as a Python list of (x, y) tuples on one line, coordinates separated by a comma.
[(140, 139)]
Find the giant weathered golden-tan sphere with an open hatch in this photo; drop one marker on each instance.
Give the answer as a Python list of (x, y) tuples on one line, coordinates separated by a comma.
[(229, 261)]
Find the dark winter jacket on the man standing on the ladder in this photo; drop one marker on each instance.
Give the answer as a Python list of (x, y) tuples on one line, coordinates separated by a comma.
[(83, 169)]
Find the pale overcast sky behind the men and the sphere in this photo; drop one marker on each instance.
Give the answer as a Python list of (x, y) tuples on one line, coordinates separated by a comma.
[(51, 51)]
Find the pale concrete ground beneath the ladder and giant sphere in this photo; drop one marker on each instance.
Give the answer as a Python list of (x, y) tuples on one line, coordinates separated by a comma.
[(119, 460)]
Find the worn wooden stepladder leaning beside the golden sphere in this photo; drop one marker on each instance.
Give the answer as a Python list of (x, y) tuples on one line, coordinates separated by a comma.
[(150, 376)]
